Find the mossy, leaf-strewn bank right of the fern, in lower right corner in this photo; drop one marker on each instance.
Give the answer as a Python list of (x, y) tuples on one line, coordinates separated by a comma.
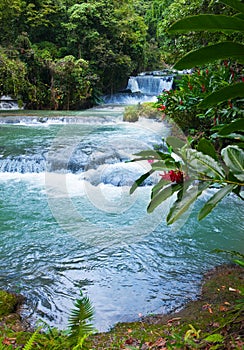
[(216, 312)]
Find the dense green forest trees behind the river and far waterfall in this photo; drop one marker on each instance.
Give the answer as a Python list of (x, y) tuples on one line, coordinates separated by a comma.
[(63, 54)]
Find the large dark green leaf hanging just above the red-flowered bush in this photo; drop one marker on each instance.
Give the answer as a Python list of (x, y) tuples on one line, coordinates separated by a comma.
[(211, 53)]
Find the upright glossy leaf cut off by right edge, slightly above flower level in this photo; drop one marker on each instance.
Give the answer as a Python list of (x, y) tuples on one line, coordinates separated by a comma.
[(233, 157)]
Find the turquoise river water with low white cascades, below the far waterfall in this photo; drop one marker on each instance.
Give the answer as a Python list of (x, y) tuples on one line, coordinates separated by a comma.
[(68, 223)]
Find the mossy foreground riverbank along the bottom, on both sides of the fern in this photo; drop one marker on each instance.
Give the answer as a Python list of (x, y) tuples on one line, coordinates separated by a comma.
[(214, 321)]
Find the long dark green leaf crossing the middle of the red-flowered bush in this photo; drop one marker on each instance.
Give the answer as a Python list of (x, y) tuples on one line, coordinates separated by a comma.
[(224, 94)]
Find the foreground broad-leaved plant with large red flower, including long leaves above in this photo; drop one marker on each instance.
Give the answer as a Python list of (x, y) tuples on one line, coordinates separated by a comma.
[(185, 172)]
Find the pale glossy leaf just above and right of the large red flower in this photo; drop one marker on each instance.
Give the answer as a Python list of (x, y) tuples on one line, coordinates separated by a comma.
[(204, 164)]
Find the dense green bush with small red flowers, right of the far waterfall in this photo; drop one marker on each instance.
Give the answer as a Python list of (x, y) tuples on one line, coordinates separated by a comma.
[(183, 104)]
